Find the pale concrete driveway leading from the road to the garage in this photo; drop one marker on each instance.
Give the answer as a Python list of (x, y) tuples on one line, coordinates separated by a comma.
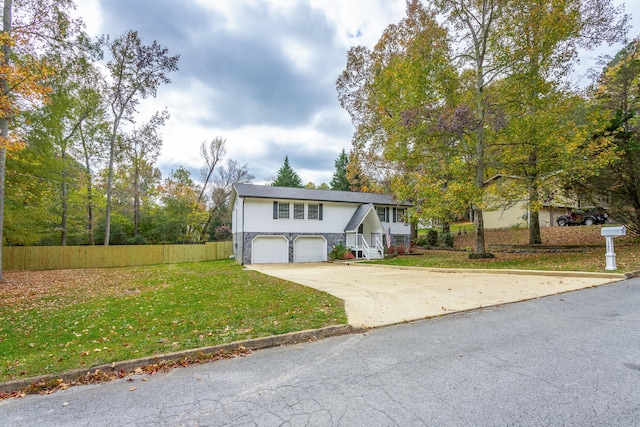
[(377, 295)]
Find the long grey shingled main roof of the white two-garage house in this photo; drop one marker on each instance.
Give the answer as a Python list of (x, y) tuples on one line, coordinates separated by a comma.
[(271, 192)]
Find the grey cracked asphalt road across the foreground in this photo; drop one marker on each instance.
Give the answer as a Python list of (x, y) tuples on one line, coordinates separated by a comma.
[(568, 359)]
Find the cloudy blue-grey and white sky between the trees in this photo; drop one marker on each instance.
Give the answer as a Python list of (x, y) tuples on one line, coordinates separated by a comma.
[(260, 73)]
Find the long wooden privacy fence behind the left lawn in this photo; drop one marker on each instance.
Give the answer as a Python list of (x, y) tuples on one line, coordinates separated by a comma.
[(65, 257)]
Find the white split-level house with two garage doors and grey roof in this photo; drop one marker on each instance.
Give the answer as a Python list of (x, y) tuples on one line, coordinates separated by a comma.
[(282, 224)]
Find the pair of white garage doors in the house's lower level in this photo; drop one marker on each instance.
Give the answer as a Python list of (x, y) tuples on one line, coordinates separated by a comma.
[(275, 249)]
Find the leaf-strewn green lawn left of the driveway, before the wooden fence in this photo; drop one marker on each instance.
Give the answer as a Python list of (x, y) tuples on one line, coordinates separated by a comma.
[(81, 318)]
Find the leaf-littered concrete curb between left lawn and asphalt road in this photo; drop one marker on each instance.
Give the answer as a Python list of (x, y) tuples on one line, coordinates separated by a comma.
[(131, 365)]
